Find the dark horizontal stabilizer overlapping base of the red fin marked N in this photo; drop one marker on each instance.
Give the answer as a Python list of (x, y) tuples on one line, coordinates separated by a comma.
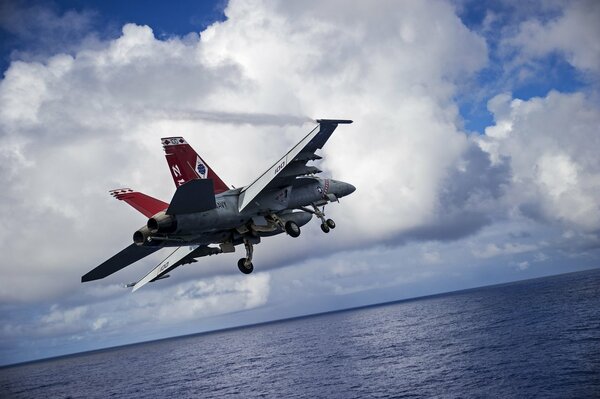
[(194, 196)]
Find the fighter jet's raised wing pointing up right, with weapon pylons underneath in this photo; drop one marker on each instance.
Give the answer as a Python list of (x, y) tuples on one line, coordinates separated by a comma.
[(292, 164)]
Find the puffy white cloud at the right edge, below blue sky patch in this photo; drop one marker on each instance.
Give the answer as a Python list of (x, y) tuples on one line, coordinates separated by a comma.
[(551, 143)]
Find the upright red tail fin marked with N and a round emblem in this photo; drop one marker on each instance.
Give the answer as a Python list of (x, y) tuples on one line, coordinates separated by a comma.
[(186, 164)]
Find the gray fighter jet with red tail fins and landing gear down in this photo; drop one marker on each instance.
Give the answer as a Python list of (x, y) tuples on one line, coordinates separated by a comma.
[(204, 211)]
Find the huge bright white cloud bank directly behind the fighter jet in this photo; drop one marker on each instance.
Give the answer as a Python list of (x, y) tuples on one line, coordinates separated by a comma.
[(79, 125)]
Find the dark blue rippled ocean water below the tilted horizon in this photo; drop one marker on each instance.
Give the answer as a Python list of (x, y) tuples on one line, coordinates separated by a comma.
[(537, 338)]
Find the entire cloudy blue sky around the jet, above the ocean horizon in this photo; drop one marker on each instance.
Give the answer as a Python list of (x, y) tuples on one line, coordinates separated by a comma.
[(473, 152)]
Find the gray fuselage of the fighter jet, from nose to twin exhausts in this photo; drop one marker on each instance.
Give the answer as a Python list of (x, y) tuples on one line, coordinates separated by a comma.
[(264, 217)]
